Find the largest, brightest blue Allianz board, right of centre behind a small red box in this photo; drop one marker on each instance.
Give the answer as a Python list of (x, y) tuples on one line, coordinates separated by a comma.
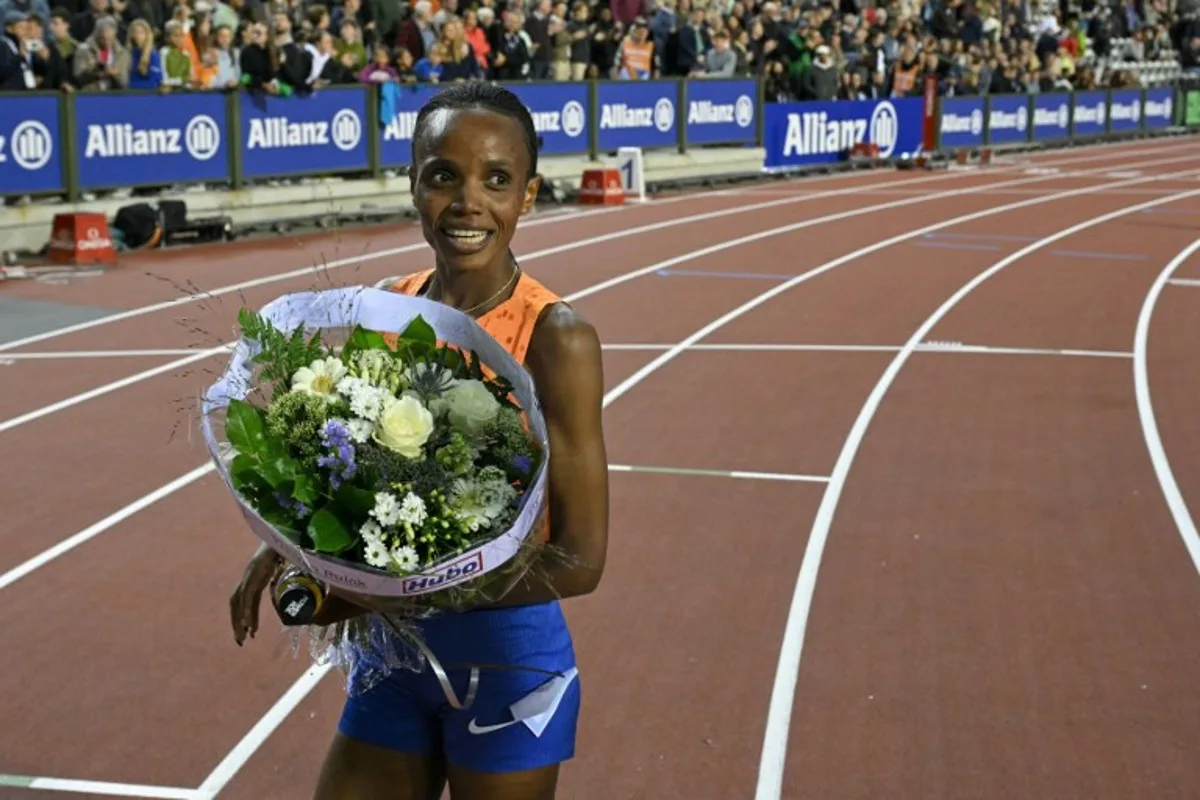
[(797, 135)]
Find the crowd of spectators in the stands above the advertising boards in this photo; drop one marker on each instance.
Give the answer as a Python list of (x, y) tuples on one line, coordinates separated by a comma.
[(809, 50)]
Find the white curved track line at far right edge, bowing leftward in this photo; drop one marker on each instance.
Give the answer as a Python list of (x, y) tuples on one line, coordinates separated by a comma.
[(1175, 502)]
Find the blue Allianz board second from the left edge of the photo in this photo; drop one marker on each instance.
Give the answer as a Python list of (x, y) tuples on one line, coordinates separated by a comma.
[(128, 140)]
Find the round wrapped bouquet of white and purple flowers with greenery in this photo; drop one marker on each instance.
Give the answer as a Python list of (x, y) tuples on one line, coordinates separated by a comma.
[(388, 447)]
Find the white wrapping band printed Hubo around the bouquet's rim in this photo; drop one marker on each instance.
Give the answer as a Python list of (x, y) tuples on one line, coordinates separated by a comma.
[(387, 312)]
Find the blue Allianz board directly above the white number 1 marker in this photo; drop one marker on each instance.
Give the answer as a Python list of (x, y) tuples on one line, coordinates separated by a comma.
[(637, 115)]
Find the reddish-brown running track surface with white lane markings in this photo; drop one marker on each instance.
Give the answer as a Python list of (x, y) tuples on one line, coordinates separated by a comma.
[(1004, 607)]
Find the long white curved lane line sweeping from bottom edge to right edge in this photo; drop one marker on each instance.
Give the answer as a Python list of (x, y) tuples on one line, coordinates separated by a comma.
[(781, 711)]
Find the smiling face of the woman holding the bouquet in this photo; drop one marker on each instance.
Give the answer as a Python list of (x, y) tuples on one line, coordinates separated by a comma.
[(470, 187)]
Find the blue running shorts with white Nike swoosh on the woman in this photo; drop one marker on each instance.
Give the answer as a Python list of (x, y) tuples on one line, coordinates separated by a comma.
[(410, 712)]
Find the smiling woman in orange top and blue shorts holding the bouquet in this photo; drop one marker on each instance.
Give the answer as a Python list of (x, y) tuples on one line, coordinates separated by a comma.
[(475, 175)]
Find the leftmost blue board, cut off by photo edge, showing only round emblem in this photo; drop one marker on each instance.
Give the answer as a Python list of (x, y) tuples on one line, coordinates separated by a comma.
[(31, 152)]
